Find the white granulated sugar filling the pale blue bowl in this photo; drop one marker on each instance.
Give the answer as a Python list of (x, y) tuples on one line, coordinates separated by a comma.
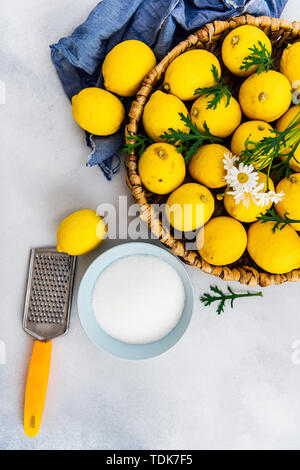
[(138, 299)]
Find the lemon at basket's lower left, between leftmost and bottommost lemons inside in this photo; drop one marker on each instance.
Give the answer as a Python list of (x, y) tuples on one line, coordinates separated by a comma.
[(189, 206)]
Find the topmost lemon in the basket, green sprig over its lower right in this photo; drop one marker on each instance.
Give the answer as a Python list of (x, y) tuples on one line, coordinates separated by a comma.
[(236, 46)]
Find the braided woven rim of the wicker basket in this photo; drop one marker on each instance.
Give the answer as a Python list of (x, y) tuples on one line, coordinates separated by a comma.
[(243, 274)]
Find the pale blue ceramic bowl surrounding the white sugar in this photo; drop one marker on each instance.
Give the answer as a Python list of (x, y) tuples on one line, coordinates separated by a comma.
[(98, 335)]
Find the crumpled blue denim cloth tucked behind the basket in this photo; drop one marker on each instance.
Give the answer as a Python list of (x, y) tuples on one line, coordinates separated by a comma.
[(159, 23)]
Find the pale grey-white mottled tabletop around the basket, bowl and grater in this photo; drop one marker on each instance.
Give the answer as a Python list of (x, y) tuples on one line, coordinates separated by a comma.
[(229, 383)]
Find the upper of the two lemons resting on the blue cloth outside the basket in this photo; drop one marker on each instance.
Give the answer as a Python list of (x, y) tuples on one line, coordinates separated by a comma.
[(126, 65)]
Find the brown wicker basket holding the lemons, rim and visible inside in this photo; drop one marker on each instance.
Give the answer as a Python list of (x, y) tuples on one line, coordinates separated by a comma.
[(209, 37)]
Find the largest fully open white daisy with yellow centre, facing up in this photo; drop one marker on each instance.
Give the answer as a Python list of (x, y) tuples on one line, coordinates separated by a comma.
[(242, 178)]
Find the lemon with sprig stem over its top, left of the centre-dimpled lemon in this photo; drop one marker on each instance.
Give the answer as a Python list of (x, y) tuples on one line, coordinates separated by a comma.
[(221, 121)]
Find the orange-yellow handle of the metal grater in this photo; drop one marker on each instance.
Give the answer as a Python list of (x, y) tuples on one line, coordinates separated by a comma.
[(36, 387)]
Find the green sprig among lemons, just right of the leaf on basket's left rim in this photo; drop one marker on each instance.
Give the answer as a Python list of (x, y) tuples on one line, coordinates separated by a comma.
[(188, 144)]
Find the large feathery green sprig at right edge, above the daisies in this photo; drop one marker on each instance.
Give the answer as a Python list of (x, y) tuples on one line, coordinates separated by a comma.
[(268, 151)]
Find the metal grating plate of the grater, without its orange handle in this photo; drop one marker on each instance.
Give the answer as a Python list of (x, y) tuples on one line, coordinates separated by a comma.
[(49, 293)]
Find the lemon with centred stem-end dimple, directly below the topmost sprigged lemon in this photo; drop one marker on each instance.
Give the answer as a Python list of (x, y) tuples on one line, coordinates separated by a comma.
[(265, 96)]
